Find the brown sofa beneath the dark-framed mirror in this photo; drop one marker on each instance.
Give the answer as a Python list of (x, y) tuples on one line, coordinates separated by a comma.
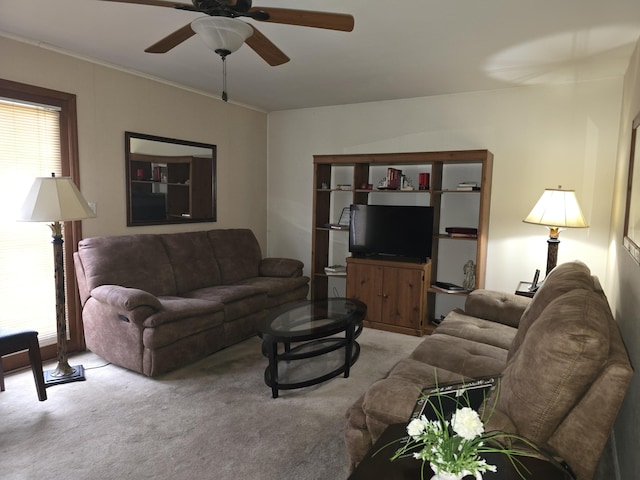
[(154, 303)]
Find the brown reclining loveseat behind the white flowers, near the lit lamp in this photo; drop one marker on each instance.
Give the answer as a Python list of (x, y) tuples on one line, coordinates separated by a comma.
[(563, 363)]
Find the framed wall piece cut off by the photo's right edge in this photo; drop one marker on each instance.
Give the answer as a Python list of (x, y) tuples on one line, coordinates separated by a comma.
[(632, 213)]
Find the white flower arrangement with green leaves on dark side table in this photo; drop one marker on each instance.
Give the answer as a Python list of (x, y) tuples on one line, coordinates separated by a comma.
[(452, 446)]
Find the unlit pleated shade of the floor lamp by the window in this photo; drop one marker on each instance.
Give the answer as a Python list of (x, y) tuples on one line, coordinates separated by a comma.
[(54, 199)]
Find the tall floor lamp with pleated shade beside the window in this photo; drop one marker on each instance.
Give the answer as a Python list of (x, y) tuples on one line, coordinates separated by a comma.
[(56, 200)]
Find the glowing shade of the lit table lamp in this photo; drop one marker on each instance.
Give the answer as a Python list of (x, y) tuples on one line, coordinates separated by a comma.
[(557, 208)]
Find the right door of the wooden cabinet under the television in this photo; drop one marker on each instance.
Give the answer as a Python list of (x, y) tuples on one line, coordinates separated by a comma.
[(402, 295)]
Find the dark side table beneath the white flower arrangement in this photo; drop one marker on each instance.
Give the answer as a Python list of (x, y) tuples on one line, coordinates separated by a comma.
[(379, 467)]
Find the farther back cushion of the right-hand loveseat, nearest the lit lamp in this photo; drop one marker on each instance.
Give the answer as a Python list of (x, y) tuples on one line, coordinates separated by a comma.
[(562, 279)]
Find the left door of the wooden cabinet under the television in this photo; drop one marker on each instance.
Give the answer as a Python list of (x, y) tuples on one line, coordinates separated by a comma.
[(364, 283)]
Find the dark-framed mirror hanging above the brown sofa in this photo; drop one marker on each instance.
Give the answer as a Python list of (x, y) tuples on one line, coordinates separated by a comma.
[(169, 180)]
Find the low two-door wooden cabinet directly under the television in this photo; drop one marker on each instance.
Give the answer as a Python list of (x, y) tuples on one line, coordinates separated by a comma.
[(395, 293)]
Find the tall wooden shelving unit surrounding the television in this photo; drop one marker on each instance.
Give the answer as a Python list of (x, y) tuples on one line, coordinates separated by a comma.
[(341, 180)]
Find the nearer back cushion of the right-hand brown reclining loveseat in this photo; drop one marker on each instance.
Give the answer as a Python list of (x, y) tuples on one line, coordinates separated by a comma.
[(563, 353)]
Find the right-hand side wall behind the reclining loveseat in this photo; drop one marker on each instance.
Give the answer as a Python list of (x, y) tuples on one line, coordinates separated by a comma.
[(624, 280)]
